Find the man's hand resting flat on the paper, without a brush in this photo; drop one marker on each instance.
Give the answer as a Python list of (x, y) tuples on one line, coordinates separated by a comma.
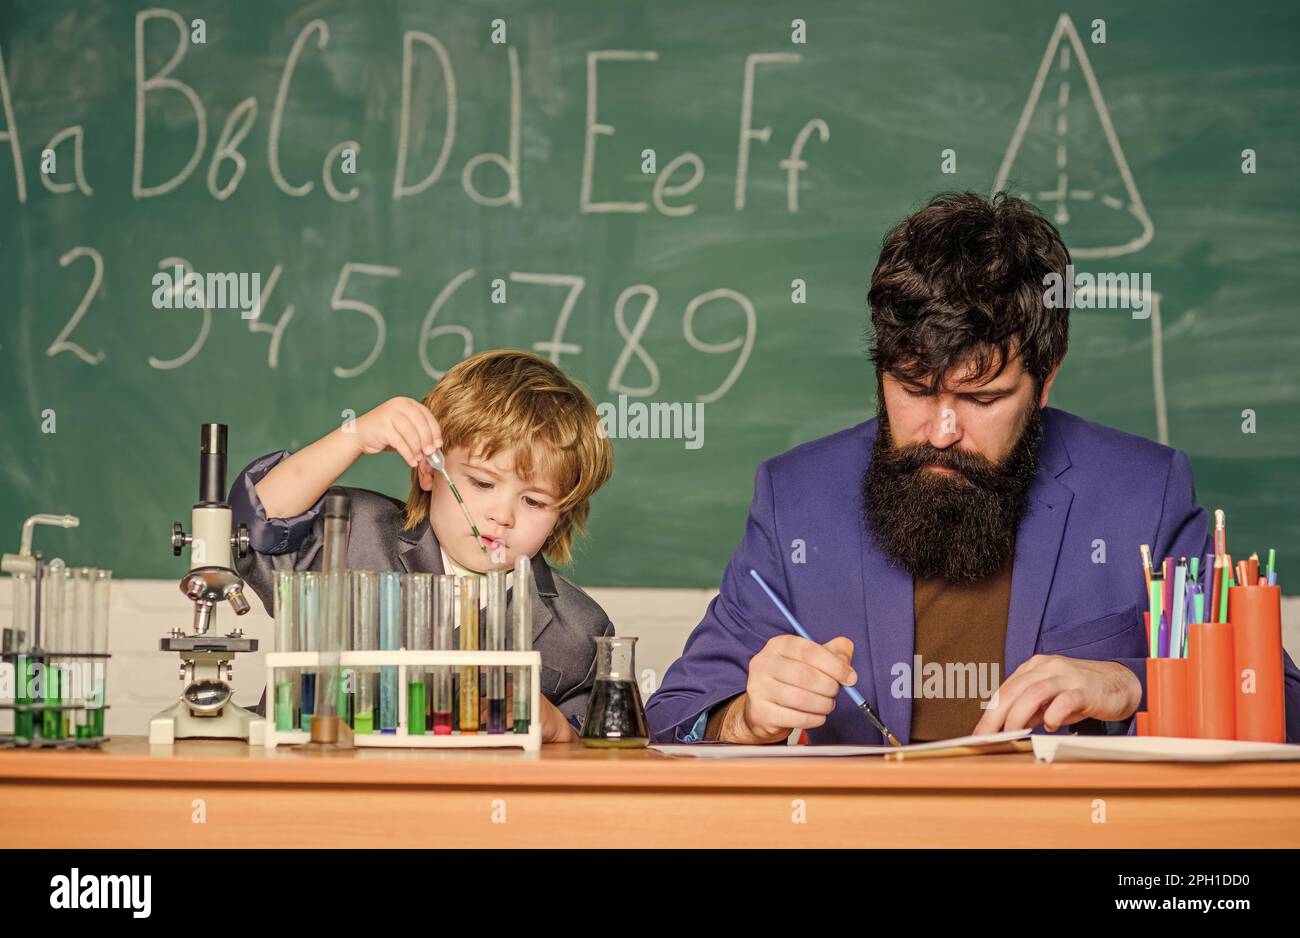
[(1055, 692)]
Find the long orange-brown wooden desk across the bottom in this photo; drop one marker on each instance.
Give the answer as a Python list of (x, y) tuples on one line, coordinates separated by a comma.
[(133, 796)]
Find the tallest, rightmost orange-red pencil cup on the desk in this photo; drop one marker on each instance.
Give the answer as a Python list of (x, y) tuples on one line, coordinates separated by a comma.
[(1256, 618)]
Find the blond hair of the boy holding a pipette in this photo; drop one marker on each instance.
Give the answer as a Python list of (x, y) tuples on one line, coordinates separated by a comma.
[(512, 401)]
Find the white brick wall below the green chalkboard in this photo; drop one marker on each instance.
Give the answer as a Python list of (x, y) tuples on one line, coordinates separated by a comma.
[(144, 680)]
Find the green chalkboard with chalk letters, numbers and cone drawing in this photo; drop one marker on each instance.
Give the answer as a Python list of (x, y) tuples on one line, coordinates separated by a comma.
[(670, 288)]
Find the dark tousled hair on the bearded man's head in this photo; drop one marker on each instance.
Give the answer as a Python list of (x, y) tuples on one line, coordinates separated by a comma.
[(964, 277)]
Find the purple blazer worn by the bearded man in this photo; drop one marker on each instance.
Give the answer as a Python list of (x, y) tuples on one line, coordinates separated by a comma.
[(1094, 484)]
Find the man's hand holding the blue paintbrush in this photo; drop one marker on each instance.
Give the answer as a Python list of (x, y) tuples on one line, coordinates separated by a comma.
[(792, 684)]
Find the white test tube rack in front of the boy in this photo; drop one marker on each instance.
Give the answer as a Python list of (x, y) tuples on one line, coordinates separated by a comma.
[(265, 733)]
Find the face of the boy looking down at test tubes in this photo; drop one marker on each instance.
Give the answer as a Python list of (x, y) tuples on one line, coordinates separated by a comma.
[(515, 516)]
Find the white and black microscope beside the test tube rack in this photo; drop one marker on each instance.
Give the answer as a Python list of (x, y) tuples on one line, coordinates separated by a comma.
[(206, 707)]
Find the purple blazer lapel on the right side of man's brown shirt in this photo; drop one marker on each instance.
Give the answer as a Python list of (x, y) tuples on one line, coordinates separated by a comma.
[(1038, 545)]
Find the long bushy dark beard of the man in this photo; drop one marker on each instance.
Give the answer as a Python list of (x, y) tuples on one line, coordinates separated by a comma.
[(950, 527)]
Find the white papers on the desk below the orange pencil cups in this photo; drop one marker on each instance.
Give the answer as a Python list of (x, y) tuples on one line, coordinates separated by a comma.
[(1056, 749)]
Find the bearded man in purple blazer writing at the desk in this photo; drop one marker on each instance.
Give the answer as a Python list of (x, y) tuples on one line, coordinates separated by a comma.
[(969, 540)]
